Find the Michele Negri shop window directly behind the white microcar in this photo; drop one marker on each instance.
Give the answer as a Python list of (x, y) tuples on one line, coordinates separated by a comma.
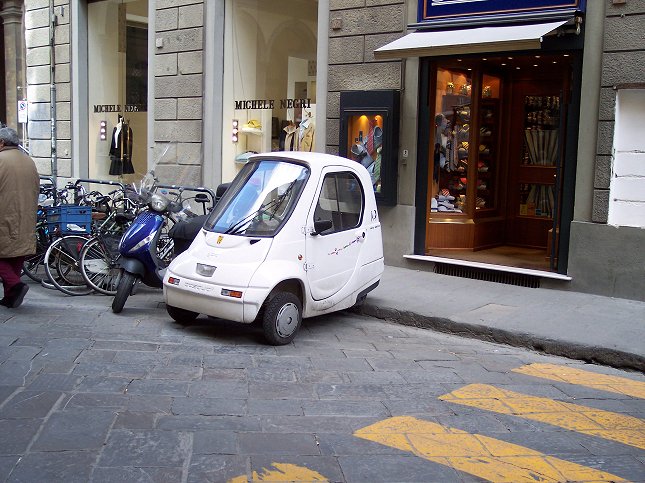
[(269, 91)]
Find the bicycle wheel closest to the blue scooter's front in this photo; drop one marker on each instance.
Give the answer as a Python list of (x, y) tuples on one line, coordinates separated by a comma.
[(99, 266)]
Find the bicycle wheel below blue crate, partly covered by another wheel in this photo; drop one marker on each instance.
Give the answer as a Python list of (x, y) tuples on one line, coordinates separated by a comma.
[(62, 265)]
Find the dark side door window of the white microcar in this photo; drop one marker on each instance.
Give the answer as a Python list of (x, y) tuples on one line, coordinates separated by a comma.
[(341, 201)]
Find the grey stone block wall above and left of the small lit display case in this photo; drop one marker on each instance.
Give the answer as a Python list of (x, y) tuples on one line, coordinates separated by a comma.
[(356, 28)]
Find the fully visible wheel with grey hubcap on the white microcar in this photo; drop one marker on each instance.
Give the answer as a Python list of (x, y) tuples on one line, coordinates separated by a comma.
[(282, 318)]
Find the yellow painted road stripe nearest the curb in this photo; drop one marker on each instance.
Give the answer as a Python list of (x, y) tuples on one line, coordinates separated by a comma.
[(571, 375)]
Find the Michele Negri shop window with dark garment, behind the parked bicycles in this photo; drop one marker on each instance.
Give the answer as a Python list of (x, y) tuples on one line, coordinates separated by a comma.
[(117, 86)]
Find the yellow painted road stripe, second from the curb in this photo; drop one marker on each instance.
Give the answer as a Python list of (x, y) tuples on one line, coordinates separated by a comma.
[(595, 422)]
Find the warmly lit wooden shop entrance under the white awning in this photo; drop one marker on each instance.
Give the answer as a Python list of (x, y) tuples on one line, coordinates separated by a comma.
[(495, 156)]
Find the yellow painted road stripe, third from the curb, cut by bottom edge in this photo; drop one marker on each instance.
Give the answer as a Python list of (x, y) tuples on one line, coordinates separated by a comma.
[(478, 455)]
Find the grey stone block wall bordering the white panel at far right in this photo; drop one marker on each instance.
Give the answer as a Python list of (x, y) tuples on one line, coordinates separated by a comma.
[(623, 63)]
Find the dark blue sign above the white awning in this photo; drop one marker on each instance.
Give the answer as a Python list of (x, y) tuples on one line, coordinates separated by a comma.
[(434, 9)]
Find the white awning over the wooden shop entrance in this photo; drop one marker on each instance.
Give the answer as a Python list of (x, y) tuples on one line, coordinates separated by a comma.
[(467, 41)]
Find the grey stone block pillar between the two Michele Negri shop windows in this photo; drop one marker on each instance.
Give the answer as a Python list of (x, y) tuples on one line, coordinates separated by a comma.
[(178, 87)]
